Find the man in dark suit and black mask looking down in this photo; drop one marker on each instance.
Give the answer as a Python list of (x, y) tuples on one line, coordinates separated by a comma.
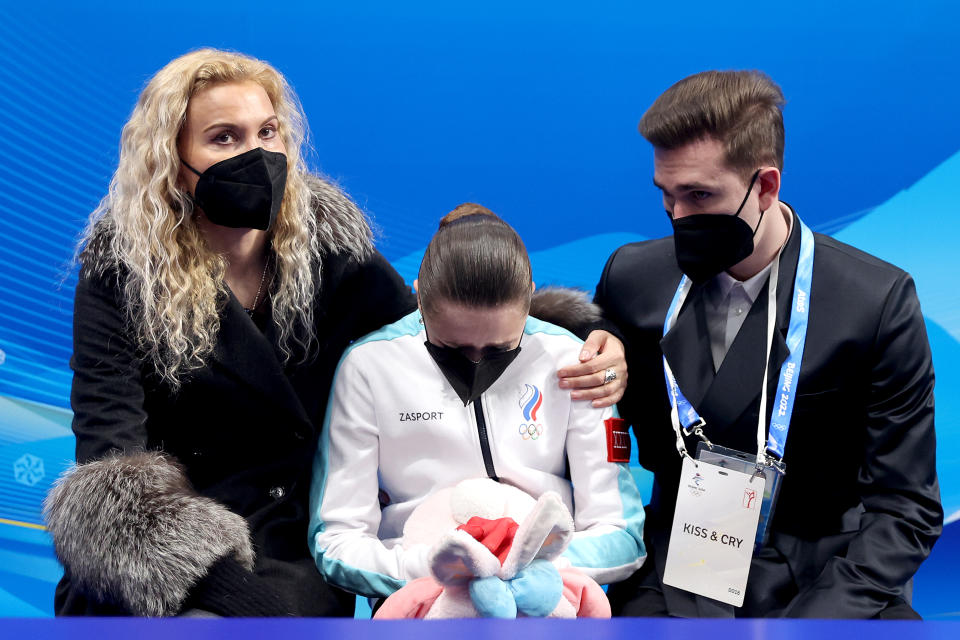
[(859, 506)]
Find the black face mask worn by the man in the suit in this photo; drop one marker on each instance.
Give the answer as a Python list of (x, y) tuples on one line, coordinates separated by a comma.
[(708, 243)]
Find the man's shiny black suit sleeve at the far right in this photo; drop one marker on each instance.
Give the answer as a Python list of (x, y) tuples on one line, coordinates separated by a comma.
[(898, 479)]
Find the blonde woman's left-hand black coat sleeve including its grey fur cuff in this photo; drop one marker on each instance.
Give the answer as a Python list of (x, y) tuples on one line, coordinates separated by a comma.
[(110, 424)]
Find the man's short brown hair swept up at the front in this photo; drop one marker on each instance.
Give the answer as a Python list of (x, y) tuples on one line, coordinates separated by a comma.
[(741, 109)]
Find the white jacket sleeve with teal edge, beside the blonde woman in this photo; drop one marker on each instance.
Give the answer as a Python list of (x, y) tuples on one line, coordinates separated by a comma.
[(344, 505)]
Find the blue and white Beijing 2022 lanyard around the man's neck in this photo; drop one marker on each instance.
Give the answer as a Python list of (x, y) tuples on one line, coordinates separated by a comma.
[(682, 412)]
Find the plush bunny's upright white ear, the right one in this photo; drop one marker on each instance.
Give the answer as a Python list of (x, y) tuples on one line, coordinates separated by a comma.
[(545, 533)]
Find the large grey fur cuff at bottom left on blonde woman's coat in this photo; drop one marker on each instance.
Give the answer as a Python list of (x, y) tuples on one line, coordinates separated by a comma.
[(132, 531)]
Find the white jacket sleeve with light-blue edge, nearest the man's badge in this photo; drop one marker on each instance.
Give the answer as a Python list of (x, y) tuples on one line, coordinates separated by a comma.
[(608, 510)]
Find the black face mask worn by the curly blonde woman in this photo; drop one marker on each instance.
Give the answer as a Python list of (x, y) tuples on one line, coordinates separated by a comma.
[(244, 191)]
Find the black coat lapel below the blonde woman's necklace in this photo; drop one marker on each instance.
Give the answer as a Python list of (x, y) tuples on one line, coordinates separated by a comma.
[(249, 356)]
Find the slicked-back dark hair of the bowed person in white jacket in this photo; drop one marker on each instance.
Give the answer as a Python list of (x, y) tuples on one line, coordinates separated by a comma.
[(475, 259)]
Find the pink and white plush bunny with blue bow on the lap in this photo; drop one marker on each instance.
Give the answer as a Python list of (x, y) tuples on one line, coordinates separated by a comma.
[(486, 564)]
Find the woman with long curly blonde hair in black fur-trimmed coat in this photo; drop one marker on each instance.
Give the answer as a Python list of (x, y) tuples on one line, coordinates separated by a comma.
[(210, 314)]
